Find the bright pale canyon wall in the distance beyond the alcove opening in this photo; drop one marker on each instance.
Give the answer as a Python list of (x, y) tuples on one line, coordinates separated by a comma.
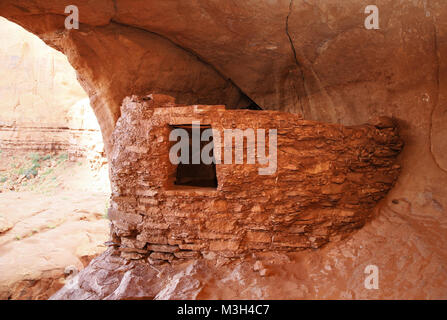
[(42, 107)]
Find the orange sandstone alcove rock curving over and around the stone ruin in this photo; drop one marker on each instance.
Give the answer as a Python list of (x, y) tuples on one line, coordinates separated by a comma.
[(310, 57)]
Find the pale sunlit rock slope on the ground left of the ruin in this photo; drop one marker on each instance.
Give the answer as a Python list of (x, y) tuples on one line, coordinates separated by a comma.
[(45, 240)]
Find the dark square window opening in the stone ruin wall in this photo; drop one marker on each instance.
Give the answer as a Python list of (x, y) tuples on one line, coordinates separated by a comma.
[(196, 175)]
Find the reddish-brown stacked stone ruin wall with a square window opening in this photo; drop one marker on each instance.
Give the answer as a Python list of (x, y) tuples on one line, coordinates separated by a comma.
[(328, 179)]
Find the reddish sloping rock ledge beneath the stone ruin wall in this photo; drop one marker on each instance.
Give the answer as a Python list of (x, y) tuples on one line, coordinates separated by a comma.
[(415, 271)]
